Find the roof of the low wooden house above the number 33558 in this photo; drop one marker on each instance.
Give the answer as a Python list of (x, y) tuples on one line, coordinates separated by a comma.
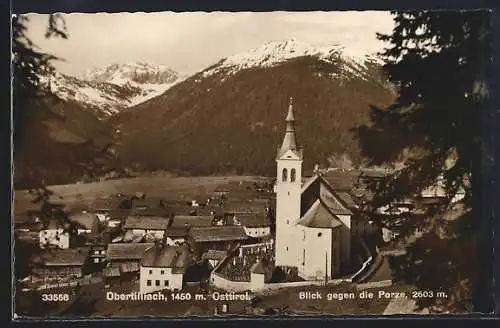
[(63, 257)]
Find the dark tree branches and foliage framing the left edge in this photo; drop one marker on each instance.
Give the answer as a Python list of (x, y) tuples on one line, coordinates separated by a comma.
[(29, 64)]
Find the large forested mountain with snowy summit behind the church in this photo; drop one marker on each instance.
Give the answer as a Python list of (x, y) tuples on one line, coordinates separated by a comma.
[(229, 116)]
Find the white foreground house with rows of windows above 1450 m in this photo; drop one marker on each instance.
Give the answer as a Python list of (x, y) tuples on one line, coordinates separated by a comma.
[(163, 268)]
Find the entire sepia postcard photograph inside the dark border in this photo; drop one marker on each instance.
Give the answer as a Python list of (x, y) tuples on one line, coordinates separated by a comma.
[(208, 164)]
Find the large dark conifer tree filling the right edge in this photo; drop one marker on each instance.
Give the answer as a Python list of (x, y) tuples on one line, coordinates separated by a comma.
[(440, 63)]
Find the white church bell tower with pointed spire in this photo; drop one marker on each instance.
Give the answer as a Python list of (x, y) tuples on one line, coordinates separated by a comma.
[(287, 188)]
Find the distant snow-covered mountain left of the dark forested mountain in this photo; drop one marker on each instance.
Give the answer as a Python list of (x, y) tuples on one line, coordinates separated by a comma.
[(108, 90)]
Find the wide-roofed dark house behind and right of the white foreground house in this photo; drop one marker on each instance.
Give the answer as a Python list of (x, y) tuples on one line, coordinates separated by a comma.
[(216, 238)]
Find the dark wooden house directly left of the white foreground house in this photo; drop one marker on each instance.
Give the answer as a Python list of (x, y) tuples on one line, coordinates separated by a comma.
[(123, 261)]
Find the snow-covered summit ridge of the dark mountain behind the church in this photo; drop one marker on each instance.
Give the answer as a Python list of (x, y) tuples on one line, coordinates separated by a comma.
[(273, 53)]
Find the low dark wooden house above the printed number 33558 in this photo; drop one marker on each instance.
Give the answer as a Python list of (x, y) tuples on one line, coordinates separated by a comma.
[(60, 263)]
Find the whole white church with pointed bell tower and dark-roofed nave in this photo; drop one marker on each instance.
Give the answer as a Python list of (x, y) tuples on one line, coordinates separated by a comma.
[(313, 224)]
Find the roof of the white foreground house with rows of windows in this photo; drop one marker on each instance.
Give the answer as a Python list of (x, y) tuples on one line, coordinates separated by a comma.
[(176, 257)]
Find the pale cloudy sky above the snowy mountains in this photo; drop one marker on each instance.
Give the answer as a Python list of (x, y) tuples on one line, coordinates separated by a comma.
[(190, 42)]
